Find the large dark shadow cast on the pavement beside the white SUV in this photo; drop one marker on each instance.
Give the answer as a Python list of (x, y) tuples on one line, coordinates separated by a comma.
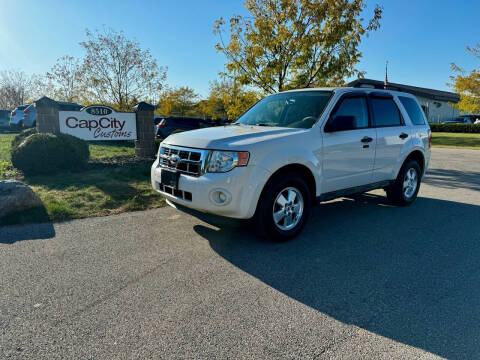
[(408, 274)]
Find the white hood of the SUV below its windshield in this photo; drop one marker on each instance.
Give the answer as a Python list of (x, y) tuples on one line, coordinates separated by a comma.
[(232, 137)]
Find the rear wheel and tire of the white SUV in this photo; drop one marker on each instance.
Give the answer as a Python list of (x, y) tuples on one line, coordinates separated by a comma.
[(405, 189)]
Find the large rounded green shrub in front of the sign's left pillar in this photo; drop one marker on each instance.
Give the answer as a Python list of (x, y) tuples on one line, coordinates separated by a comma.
[(49, 153)]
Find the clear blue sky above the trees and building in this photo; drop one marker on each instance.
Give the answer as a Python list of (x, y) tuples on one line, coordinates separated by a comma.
[(420, 38)]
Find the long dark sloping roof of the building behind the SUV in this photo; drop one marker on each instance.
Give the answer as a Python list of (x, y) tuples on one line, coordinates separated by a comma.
[(417, 91)]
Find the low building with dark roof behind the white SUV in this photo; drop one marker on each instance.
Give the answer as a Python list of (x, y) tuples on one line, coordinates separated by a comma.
[(435, 103)]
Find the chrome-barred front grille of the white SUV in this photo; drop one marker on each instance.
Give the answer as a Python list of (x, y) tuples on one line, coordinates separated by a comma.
[(186, 161)]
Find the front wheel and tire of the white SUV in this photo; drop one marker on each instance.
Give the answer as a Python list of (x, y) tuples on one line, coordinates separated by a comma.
[(284, 207)]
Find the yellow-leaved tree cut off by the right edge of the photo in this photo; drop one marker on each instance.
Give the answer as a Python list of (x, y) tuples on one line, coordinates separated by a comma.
[(467, 85)]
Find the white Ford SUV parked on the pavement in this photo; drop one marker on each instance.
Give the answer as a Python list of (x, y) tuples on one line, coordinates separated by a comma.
[(296, 147)]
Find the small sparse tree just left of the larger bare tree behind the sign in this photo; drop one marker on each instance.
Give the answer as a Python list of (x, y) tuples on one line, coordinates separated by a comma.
[(66, 78)]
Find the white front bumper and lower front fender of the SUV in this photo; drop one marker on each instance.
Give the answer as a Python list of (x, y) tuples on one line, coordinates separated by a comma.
[(242, 187)]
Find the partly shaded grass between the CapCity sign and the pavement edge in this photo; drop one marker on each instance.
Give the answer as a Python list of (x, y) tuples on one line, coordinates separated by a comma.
[(91, 193)]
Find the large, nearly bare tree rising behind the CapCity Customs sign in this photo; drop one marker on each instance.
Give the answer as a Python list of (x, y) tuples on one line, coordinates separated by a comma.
[(117, 70)]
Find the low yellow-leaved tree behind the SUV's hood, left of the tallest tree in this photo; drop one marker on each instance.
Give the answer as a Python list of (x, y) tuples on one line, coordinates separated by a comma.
[(227, 99)]
